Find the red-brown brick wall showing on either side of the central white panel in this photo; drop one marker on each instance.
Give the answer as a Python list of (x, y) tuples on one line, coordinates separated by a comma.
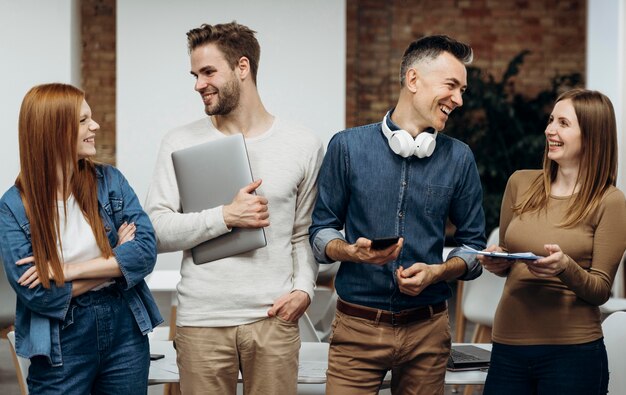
[(377, 34)]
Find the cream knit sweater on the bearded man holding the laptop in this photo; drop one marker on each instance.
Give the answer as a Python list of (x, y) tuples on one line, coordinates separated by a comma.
[(240, 289)]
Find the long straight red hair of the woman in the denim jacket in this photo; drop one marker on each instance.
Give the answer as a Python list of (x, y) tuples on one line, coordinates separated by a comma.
[(48, 132)]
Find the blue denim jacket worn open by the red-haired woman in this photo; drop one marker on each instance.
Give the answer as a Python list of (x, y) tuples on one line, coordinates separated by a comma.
[(40, 312)]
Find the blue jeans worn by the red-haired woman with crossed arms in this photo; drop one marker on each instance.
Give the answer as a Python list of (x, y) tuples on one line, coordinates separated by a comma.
[(102, 347)]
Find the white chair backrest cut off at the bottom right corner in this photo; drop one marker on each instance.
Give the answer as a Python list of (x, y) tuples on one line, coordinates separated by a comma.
[(615, 341)]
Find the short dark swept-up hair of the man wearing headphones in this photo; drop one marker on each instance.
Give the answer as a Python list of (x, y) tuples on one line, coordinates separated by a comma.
[(430, 47)]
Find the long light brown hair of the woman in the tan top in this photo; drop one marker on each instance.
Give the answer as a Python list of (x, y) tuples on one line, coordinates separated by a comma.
[(598, 158)]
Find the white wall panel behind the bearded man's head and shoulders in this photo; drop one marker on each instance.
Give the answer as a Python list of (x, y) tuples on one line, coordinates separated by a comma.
[(301, 73)]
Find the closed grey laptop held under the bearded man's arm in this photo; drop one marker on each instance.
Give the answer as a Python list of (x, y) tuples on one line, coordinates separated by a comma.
[(209, 175)]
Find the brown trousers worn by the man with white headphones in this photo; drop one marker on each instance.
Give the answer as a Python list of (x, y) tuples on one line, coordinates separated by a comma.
[(362, 351)]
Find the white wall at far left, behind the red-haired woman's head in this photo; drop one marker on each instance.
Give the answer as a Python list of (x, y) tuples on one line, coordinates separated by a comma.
[(37, 45)]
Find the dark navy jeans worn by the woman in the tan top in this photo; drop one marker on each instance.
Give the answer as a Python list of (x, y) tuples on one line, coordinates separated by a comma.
[(548, 370)]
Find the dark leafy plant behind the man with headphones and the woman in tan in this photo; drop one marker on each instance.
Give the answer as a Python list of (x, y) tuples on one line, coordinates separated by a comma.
[(504, 128)]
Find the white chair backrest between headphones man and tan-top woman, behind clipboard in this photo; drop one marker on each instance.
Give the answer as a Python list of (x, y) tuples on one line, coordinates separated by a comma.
[(482, 295)]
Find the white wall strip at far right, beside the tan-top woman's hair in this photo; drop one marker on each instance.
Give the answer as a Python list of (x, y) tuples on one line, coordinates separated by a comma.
[(606, 63)]
